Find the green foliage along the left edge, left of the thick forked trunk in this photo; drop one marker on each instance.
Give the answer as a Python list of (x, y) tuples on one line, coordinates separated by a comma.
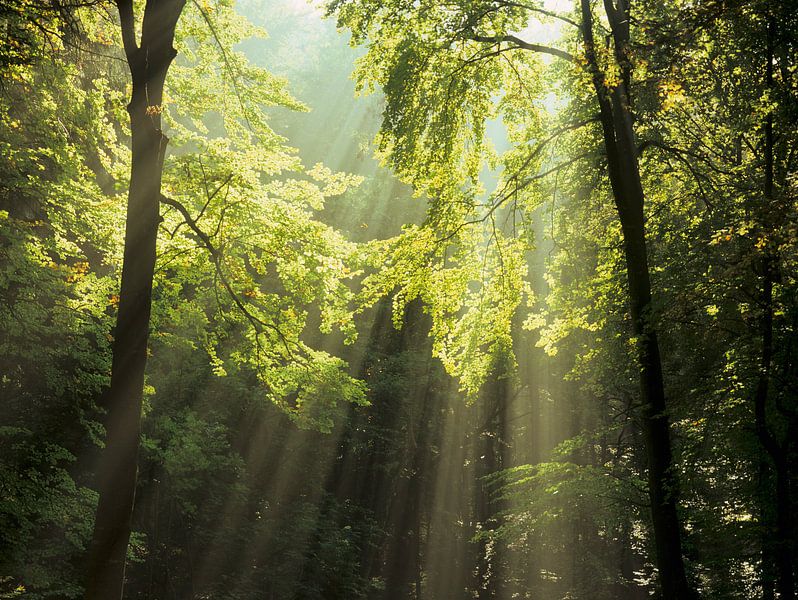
[(60, 232)]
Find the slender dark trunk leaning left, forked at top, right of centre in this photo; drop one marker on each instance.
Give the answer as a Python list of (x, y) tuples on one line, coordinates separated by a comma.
[(624, 174)]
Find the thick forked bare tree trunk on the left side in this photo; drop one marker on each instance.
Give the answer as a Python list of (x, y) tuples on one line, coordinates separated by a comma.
[(148, 64)]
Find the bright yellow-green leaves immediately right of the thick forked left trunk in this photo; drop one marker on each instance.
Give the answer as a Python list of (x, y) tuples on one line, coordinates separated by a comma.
[(255, 260)]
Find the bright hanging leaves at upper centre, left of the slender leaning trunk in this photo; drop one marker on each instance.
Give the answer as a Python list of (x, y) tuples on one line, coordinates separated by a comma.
[(467, 261)]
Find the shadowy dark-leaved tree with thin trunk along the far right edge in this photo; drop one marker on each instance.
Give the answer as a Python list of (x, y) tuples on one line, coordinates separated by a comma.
[(747, 189)]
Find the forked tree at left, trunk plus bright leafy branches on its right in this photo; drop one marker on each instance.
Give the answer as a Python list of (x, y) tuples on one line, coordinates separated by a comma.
[(261, 262)]
